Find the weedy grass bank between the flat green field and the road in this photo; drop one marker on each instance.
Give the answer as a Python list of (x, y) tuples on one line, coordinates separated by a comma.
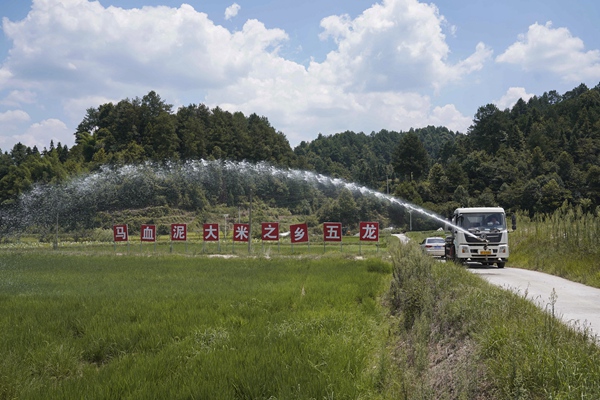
[(462, 338)]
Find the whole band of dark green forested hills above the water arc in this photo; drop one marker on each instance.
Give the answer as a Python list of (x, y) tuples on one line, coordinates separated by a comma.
[(535, 156)]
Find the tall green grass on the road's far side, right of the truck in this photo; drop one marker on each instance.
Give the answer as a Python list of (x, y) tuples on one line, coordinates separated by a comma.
[(565, 243)]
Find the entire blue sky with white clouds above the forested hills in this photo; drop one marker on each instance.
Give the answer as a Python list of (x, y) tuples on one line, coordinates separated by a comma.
[(310, 67)]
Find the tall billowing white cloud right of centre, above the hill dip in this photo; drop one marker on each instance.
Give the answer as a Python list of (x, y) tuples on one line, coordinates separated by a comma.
[(386, 61)]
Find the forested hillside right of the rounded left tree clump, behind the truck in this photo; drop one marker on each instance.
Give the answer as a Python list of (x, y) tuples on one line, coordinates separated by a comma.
[(533, 157)]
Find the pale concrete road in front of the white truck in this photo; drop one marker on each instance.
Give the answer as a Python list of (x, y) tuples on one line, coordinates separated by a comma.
[(575, 303)]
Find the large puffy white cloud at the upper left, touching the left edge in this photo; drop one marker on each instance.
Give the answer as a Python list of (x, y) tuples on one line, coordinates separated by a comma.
[(82, 46)]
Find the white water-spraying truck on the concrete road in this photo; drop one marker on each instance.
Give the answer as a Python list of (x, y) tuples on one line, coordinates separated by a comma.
[(479, 234)]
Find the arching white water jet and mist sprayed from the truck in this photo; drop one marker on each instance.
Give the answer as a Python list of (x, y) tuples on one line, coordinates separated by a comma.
[(190, 185)]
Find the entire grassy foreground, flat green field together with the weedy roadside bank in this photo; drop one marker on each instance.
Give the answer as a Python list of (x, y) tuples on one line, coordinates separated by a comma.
[(169, 326)]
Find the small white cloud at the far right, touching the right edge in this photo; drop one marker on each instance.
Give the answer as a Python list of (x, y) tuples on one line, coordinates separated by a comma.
[(544, 48)]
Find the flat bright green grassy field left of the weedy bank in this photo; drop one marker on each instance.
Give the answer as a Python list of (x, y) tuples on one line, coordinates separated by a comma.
[(177, 327)]
